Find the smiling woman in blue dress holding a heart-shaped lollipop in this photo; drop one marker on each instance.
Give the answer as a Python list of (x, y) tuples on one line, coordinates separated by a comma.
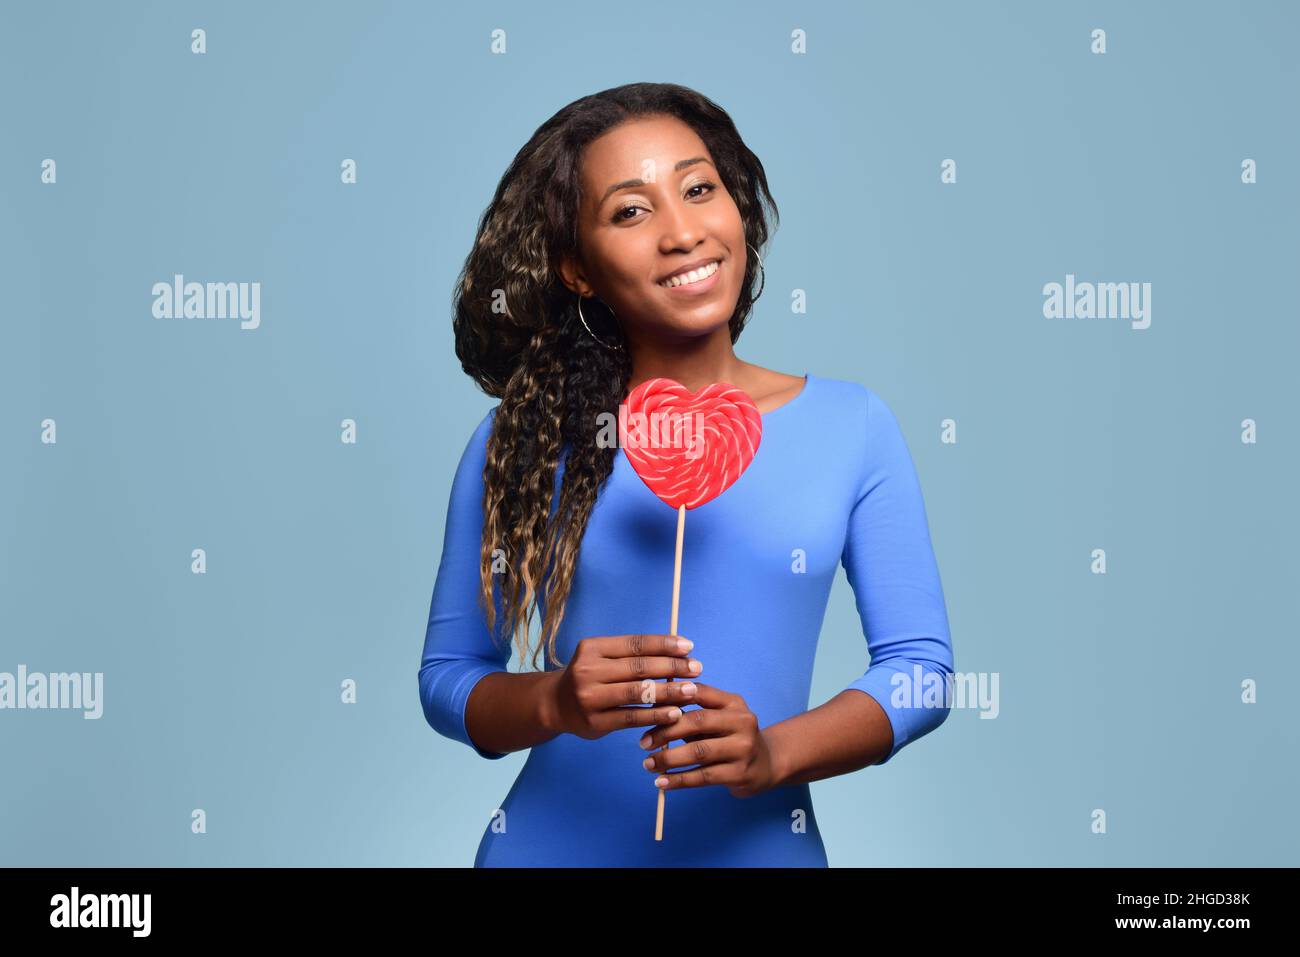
[(645, 198)]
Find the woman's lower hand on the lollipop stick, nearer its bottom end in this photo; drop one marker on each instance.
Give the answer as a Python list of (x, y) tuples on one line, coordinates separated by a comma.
[(722, 737)]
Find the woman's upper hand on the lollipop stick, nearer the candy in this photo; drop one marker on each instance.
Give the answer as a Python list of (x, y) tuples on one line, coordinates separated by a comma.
[(610, 677)]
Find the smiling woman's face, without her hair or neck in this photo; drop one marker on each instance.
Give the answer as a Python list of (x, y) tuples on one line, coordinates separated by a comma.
[(653, 203)]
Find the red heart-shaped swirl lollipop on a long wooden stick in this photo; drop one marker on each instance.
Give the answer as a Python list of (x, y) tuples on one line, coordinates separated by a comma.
[(688, 448)]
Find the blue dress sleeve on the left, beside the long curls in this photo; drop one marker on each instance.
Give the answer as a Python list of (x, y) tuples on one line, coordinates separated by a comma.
[(458, 647)]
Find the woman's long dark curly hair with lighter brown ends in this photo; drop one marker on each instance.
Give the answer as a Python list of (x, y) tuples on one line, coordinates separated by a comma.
[(519, 337)]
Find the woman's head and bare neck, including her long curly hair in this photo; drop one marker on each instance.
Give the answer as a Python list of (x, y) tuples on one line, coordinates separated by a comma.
[(613, 196)]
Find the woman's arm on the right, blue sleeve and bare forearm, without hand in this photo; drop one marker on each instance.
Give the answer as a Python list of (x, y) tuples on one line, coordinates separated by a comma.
[(891, 566)]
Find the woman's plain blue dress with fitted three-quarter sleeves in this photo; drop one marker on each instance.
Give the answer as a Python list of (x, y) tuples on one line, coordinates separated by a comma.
[(833, 483)]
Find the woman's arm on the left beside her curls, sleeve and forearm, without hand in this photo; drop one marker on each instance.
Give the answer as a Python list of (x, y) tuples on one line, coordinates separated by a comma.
[(465, 683)]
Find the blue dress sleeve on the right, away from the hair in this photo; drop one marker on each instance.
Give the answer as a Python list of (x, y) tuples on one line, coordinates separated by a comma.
[(891, 566)]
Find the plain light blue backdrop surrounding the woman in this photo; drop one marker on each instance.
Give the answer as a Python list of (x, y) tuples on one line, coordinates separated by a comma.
[(1120, 692)]
